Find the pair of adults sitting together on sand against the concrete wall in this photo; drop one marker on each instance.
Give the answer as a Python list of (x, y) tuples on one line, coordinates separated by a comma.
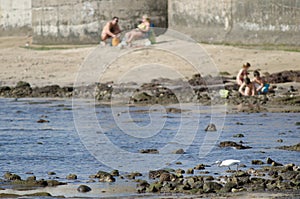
[(112, 30)]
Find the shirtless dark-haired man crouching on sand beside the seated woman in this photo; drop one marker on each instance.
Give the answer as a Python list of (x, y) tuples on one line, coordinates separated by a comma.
[(111, 29)]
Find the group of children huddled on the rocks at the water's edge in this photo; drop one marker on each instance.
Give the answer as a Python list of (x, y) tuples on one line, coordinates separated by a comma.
[(252, 87)]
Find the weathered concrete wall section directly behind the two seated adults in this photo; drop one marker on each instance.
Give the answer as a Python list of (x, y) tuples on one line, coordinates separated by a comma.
[(81, 21)]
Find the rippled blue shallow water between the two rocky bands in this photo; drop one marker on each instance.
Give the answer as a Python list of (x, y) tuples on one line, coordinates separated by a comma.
[(60, 145)]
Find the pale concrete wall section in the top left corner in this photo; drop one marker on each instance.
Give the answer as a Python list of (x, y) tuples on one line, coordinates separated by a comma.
[(15, 17)]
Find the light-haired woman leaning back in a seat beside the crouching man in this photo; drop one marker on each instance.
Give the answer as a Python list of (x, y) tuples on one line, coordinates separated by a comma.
[(140, 32)]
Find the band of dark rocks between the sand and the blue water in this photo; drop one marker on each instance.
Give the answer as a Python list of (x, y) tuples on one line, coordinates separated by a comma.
[(198, 89)]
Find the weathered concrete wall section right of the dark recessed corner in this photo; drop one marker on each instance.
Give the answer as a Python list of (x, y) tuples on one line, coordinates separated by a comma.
[(238, 21)]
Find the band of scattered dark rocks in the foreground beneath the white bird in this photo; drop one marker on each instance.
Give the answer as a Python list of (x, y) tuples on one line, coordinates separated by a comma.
[(271, 177)]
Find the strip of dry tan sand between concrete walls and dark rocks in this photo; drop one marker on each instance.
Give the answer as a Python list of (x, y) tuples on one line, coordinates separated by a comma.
[(42, 67)]
